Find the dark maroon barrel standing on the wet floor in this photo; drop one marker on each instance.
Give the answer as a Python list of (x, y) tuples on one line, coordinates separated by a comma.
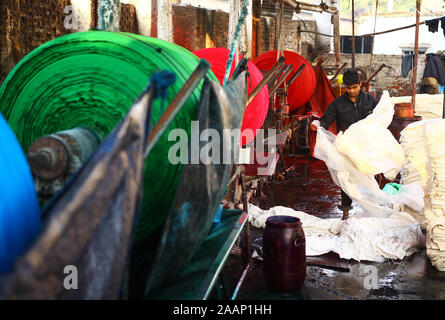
[(284, 253)]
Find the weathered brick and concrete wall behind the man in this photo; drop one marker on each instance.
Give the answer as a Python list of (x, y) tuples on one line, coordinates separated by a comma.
[(389, 78)]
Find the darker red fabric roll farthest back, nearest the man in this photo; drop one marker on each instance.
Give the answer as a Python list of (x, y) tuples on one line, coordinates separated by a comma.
[(303, 87)]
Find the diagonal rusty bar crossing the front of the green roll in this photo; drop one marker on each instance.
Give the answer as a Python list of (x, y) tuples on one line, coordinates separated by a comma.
[(176, 105)]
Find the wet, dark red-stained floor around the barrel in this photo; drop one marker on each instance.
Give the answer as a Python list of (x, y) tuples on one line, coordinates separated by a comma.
[(309, 188)]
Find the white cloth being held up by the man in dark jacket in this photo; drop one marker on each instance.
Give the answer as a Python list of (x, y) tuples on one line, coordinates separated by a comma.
[(365, 149)]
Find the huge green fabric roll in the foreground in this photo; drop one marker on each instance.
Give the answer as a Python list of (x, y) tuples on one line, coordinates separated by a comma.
[(91, 79)]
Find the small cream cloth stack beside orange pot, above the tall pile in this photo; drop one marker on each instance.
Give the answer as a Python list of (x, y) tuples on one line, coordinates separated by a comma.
[(428, 106)]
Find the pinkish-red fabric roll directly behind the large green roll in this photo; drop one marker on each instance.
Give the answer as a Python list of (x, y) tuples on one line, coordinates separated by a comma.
[(256, 111)]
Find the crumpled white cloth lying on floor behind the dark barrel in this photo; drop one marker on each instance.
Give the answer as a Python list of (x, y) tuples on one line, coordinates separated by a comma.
[(358, 238)]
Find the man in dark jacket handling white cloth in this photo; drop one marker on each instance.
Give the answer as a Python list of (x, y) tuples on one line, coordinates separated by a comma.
[(347, 109)]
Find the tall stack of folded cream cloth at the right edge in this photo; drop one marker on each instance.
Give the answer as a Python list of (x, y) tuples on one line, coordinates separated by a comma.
[(424, 145)]
